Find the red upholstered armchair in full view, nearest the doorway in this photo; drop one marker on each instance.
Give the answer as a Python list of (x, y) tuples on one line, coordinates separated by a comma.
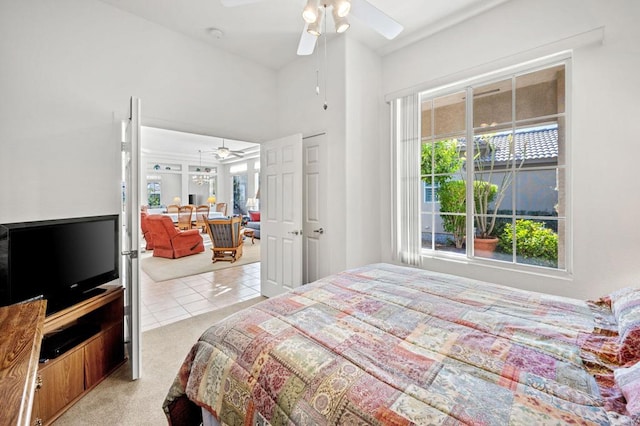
[(171, 243)]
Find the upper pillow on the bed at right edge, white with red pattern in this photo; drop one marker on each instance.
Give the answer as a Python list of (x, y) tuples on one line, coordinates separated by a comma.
[(625, 305)]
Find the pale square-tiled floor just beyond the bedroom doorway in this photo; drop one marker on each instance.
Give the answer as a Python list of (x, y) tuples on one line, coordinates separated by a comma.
[(173, 300)]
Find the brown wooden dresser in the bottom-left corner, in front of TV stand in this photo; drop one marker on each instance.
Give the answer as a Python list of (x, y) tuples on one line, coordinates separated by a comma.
[(21, 328)]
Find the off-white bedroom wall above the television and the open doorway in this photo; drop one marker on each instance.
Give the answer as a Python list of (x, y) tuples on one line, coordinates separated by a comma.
[(68, 65)]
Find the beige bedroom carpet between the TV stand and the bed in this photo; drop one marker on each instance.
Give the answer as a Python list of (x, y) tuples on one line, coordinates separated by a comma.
[(121, 401)]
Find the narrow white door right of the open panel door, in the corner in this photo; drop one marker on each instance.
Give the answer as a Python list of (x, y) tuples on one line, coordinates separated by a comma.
[(315, 210)]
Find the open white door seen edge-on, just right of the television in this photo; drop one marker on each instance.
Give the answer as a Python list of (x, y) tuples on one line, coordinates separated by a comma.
[(130, 241)]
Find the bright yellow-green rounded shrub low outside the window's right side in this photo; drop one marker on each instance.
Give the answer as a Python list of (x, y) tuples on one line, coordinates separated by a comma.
[(535, 243)]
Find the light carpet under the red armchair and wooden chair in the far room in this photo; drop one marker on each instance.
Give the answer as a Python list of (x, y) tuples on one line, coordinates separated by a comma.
[(162, 269)]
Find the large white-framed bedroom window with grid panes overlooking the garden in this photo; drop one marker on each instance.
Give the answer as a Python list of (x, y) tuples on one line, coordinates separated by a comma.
[(493, 166)]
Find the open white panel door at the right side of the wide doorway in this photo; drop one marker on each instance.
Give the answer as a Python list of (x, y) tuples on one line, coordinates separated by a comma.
[(281, 215)]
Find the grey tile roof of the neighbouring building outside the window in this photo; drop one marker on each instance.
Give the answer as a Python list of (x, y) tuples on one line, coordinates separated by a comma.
[(538, 143)]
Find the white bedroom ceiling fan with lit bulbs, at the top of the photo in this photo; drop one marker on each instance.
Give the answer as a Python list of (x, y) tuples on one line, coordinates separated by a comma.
[(313, 15)]
